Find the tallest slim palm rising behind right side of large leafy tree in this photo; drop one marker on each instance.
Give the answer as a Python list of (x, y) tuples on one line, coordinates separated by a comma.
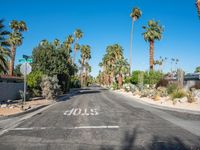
[(78, 35)]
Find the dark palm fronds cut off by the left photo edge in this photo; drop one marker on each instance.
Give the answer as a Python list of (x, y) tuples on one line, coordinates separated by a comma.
[(4, 51)]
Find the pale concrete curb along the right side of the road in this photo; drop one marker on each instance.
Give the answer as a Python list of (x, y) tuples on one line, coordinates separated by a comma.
[(158, 106)]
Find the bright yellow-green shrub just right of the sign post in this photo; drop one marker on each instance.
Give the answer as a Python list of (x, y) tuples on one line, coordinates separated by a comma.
[(33, 81)]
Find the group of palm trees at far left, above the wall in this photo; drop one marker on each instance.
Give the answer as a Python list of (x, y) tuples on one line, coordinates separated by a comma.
[(9, 41)]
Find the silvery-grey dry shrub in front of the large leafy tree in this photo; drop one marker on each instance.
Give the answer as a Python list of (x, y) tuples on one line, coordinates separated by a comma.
[(50, 87)]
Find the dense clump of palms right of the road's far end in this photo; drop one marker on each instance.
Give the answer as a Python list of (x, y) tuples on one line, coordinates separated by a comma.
[(114, 66)]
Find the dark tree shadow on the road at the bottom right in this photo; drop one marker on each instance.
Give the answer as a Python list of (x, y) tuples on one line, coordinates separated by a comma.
[(156, 143)]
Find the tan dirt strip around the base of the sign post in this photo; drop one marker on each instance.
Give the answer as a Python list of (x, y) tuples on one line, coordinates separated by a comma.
[(11, 109)]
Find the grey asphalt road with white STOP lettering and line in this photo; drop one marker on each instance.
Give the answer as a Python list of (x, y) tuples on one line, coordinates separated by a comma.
[(97, 119)]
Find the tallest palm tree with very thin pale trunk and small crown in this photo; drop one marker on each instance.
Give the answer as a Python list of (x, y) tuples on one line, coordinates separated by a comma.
[(135, 15)]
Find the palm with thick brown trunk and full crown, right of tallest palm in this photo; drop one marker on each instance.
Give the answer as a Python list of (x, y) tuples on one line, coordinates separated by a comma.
[(153, 32)]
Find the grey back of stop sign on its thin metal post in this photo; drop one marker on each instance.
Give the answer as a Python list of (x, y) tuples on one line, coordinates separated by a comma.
[(25, 69)]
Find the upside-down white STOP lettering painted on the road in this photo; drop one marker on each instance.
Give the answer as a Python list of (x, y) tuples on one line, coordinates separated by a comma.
[(82, 112)]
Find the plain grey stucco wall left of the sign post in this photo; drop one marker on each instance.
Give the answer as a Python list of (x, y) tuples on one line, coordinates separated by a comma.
[(10, 91)]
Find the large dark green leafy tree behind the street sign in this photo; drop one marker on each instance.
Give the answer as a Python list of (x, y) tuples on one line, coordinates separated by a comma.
[(52, 60)]
